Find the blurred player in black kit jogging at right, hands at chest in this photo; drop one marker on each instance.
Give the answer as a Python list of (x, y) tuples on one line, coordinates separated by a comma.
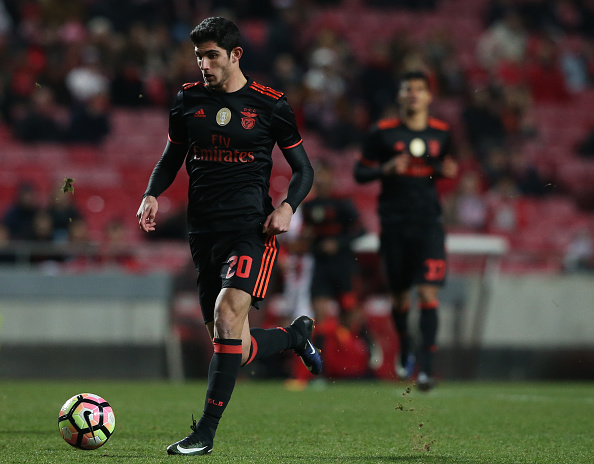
[(407, 154)]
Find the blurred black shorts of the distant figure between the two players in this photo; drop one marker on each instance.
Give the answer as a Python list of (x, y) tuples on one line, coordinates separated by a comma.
[(332, 275)]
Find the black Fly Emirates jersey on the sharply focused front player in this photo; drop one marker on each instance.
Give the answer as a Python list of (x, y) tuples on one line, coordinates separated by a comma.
[(229, 139)]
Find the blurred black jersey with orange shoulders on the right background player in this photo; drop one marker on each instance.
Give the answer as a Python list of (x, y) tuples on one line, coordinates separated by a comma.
[(411, 197)]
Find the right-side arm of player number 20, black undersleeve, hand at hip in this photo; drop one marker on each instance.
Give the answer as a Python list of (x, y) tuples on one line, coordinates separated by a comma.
[(299, 186)]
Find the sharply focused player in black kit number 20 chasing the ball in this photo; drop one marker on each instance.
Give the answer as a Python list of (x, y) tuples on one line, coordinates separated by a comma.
[(225, 129)]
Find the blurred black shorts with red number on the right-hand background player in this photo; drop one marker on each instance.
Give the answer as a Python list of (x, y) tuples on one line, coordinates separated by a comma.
[(413, 255)]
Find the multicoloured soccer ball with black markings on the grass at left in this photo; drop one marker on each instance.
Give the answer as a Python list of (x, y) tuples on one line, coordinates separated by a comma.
[(86, 421)]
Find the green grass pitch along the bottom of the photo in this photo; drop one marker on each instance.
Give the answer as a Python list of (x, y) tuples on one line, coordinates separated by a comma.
[(344, 422)]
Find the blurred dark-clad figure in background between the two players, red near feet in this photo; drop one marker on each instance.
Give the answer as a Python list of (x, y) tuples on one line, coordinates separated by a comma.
[(330, 225)]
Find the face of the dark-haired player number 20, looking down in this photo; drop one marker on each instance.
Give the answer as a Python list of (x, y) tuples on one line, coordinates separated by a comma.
[(215, 63)]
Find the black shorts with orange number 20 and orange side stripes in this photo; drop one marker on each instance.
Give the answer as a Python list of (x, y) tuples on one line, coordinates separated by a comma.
[(238, 259)]
